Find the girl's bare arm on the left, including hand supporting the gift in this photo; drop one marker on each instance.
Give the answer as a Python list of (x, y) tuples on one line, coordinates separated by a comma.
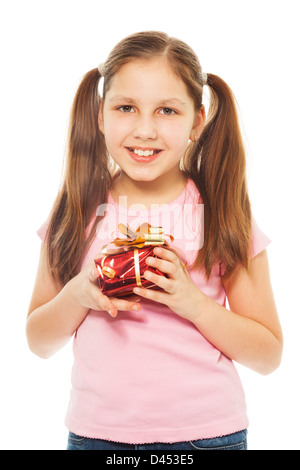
[(55, 312)]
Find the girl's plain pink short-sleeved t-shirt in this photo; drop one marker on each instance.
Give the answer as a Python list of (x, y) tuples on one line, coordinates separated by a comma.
[(151, 376)]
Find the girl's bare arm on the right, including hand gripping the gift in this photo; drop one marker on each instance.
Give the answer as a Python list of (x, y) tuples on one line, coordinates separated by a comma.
[(248, 333)]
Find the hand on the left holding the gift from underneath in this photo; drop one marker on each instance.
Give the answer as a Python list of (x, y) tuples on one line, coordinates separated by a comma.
[(86, 291)]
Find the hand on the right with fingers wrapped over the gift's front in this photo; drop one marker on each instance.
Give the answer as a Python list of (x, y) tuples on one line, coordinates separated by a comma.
[(180, 293)]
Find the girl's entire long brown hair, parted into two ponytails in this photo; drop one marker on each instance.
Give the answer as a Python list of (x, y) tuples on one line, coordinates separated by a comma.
[(216, 163)]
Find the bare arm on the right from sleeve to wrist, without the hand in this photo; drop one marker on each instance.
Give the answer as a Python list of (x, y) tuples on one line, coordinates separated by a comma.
[(249, 332)]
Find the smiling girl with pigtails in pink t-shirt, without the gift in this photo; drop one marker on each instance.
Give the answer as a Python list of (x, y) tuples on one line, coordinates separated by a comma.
[(155, 370)]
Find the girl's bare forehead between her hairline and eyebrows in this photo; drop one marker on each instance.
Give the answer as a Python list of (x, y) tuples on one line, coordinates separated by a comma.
[(144, 80)]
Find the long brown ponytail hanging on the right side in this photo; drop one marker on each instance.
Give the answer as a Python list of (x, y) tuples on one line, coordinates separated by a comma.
[(221, 180)]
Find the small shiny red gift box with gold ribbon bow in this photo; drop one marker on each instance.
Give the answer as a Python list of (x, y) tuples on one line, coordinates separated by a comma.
[(122, 268)]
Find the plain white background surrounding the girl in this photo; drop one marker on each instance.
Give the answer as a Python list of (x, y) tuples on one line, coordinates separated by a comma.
[(46, 48)]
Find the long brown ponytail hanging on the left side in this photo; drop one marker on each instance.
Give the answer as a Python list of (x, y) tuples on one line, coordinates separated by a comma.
[(85, 184)]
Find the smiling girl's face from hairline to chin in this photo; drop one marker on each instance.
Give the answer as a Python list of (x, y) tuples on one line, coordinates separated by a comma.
[(148, 119)]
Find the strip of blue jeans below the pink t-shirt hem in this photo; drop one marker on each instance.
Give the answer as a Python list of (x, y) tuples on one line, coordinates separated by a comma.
[(236, 441)]
